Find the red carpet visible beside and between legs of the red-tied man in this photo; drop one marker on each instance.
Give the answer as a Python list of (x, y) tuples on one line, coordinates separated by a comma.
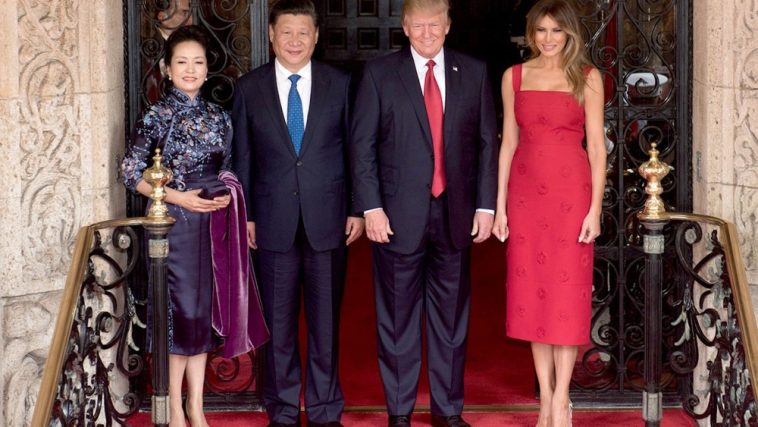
[(498, 369)]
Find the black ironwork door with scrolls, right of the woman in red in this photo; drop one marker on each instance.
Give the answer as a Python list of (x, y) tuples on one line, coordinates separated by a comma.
[(638, 48)]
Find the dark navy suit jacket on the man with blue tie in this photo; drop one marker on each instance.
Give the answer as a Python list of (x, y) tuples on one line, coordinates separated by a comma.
[(279, 185)]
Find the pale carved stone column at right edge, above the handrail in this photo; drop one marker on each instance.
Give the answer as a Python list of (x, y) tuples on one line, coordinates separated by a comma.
[(725, 119)]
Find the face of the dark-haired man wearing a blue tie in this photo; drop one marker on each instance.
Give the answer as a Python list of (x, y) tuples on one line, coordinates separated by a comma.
[(293, 38)]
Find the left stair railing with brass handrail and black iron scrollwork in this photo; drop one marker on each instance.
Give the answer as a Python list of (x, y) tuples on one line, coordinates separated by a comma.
[(89, 360)]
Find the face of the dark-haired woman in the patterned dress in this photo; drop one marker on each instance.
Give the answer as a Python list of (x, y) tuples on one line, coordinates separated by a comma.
[(188, 67)]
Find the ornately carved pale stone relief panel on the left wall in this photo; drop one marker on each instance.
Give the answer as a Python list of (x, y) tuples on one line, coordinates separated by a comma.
[(50, 140)]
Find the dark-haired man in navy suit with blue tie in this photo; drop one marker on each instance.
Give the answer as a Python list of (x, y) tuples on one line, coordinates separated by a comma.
[(290, 144)]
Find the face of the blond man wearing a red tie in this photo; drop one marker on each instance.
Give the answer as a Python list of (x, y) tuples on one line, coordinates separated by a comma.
[(426, 30)]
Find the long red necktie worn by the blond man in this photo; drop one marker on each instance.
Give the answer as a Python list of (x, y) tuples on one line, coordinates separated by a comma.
[(433, 103)]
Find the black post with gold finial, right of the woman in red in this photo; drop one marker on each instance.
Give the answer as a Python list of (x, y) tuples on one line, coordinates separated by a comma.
[(653, 218)]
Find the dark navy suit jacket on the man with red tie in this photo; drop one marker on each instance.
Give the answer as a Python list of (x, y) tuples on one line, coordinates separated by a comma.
[(391, 146)]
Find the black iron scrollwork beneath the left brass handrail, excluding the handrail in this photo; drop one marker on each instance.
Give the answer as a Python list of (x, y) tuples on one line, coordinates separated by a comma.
[(101, 336)]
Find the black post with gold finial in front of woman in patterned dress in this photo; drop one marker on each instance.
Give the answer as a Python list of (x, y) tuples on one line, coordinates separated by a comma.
[(158, 223)]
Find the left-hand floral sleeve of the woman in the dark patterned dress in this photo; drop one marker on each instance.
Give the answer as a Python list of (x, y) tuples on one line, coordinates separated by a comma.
[(138, 151)]
